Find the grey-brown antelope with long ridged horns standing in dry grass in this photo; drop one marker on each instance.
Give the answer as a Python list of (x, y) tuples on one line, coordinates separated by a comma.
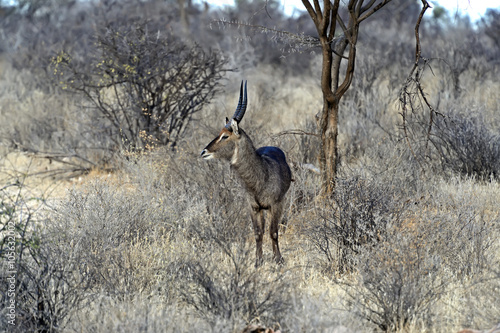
[(264, 173)]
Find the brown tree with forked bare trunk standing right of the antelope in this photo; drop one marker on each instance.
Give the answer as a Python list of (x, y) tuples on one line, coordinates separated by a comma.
[(328, 18)]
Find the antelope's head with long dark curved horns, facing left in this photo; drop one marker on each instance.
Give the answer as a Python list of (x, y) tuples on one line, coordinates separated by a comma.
[(223, 146)]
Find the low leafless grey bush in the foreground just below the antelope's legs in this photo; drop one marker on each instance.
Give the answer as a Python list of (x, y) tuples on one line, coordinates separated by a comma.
[(222, 282)]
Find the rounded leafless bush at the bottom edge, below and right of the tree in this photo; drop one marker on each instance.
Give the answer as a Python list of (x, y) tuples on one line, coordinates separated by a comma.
[(399, 282)]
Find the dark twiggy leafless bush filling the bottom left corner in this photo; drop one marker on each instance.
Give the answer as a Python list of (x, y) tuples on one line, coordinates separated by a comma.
[(44, 281)]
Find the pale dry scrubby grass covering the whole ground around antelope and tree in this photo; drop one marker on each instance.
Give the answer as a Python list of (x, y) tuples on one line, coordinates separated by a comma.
[(164, 243)]
